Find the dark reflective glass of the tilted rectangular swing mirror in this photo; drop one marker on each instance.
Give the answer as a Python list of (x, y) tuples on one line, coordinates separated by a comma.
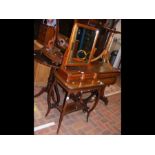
[(82, 45)]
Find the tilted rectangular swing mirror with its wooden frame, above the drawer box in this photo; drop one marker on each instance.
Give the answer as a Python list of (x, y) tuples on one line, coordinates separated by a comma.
[(81, 46)]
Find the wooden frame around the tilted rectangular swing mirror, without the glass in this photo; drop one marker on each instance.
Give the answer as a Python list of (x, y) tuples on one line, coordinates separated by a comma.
[(73, 35)]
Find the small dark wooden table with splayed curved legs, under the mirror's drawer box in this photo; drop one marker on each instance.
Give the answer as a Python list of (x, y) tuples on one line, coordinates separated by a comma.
[(74, 91)]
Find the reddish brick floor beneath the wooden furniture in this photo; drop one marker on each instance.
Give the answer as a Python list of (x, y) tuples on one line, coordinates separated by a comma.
[(102, 121)]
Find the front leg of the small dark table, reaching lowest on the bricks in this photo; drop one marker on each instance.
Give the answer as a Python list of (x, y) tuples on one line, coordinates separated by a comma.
[(62, 112)]
